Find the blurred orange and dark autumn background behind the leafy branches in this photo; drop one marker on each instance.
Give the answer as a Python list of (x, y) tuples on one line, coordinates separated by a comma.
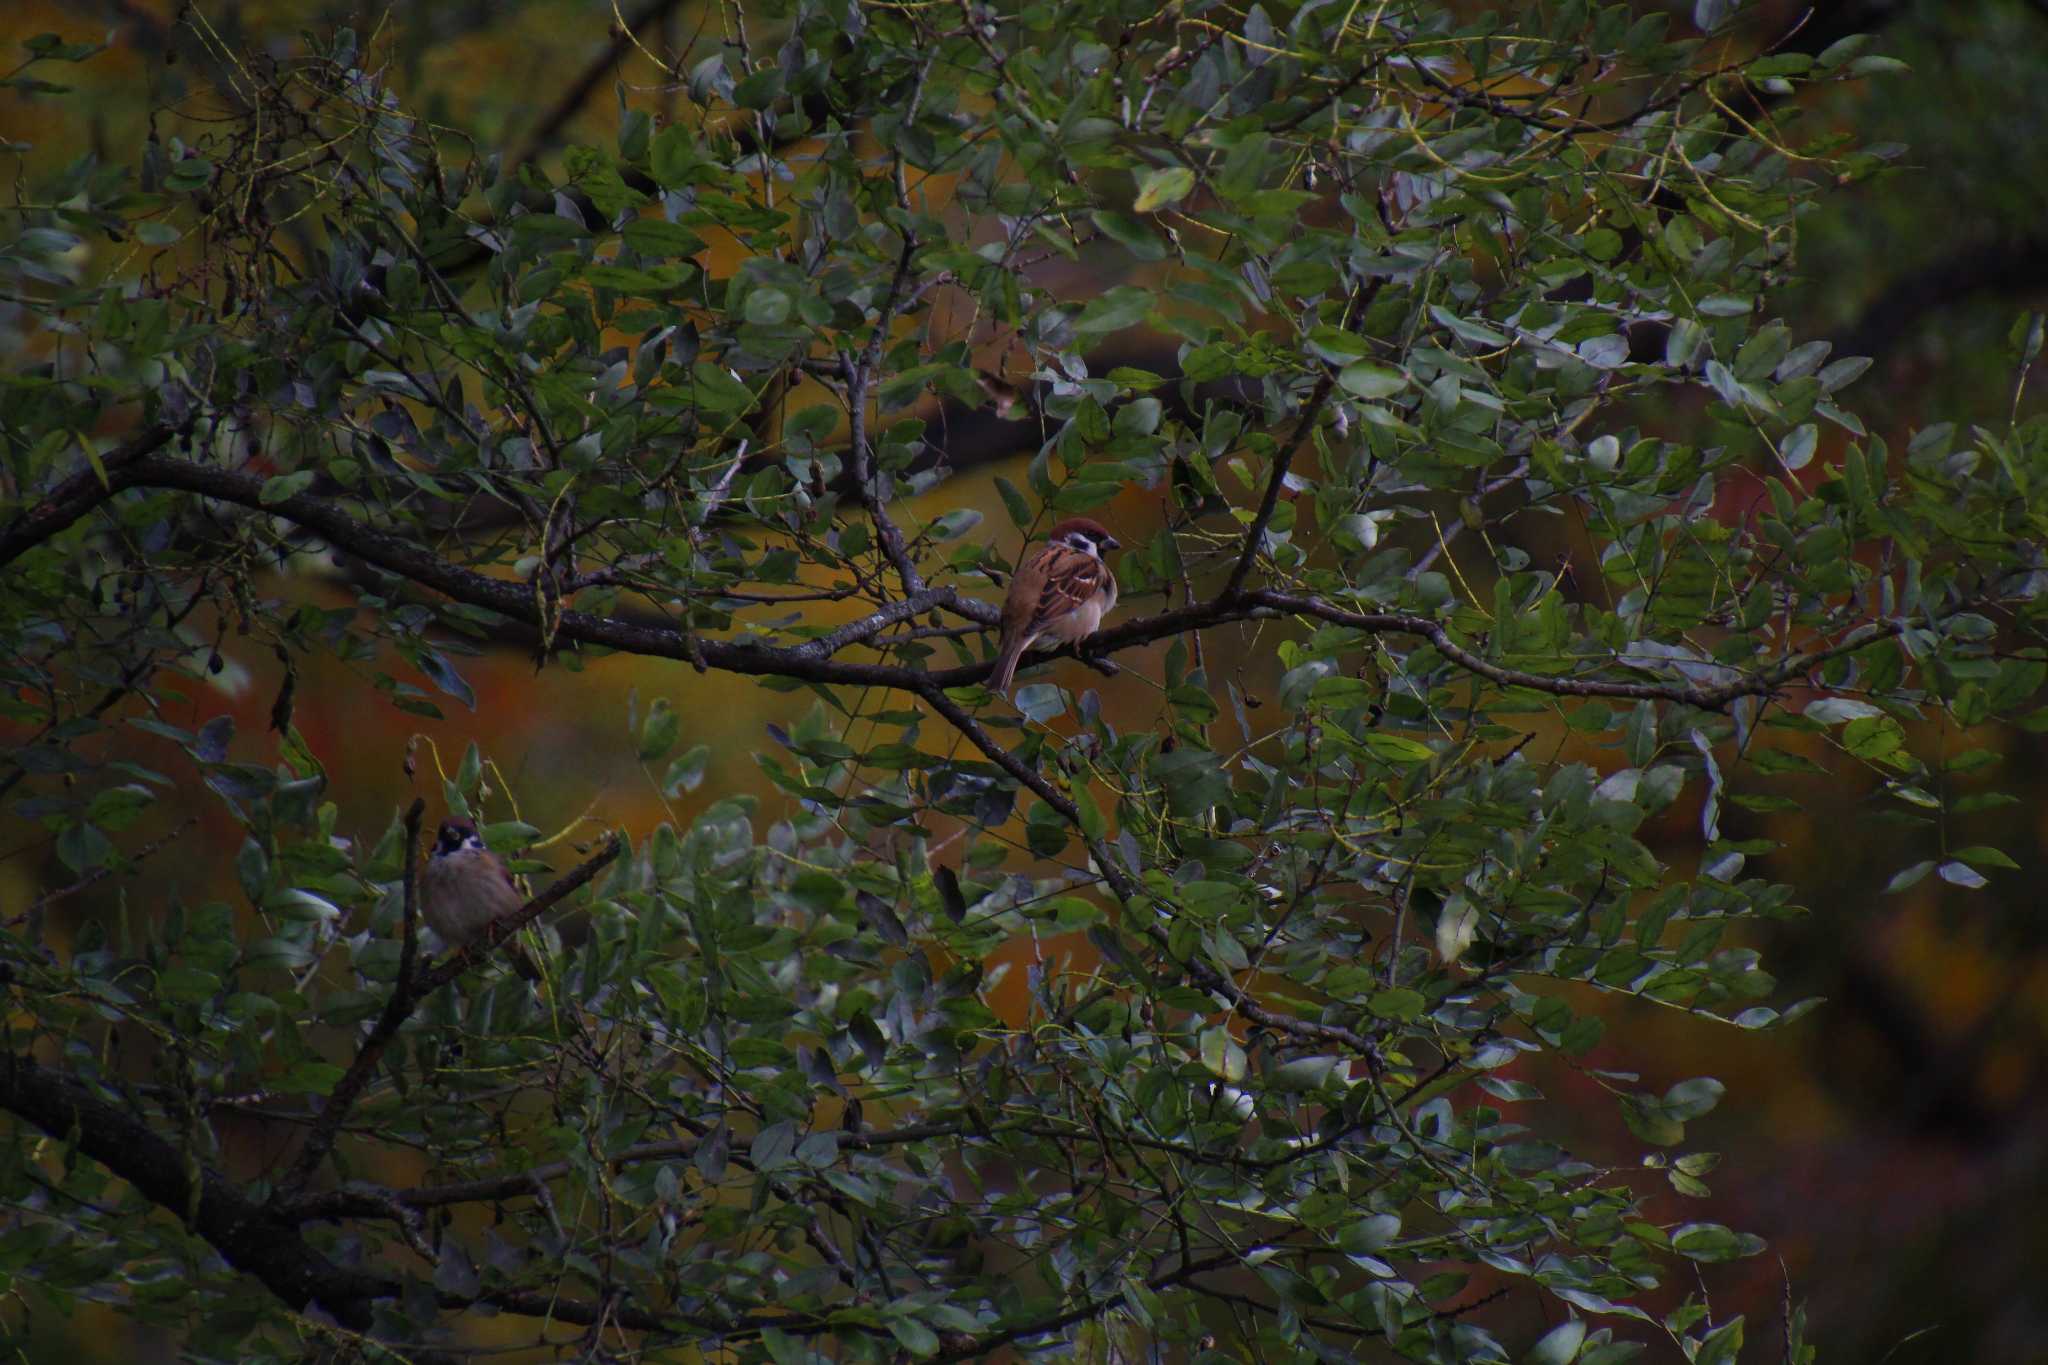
[(1891, 1147)]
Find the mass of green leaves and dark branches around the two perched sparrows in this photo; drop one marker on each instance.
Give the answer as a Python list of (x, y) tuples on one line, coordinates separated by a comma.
[(1418, 275)]
